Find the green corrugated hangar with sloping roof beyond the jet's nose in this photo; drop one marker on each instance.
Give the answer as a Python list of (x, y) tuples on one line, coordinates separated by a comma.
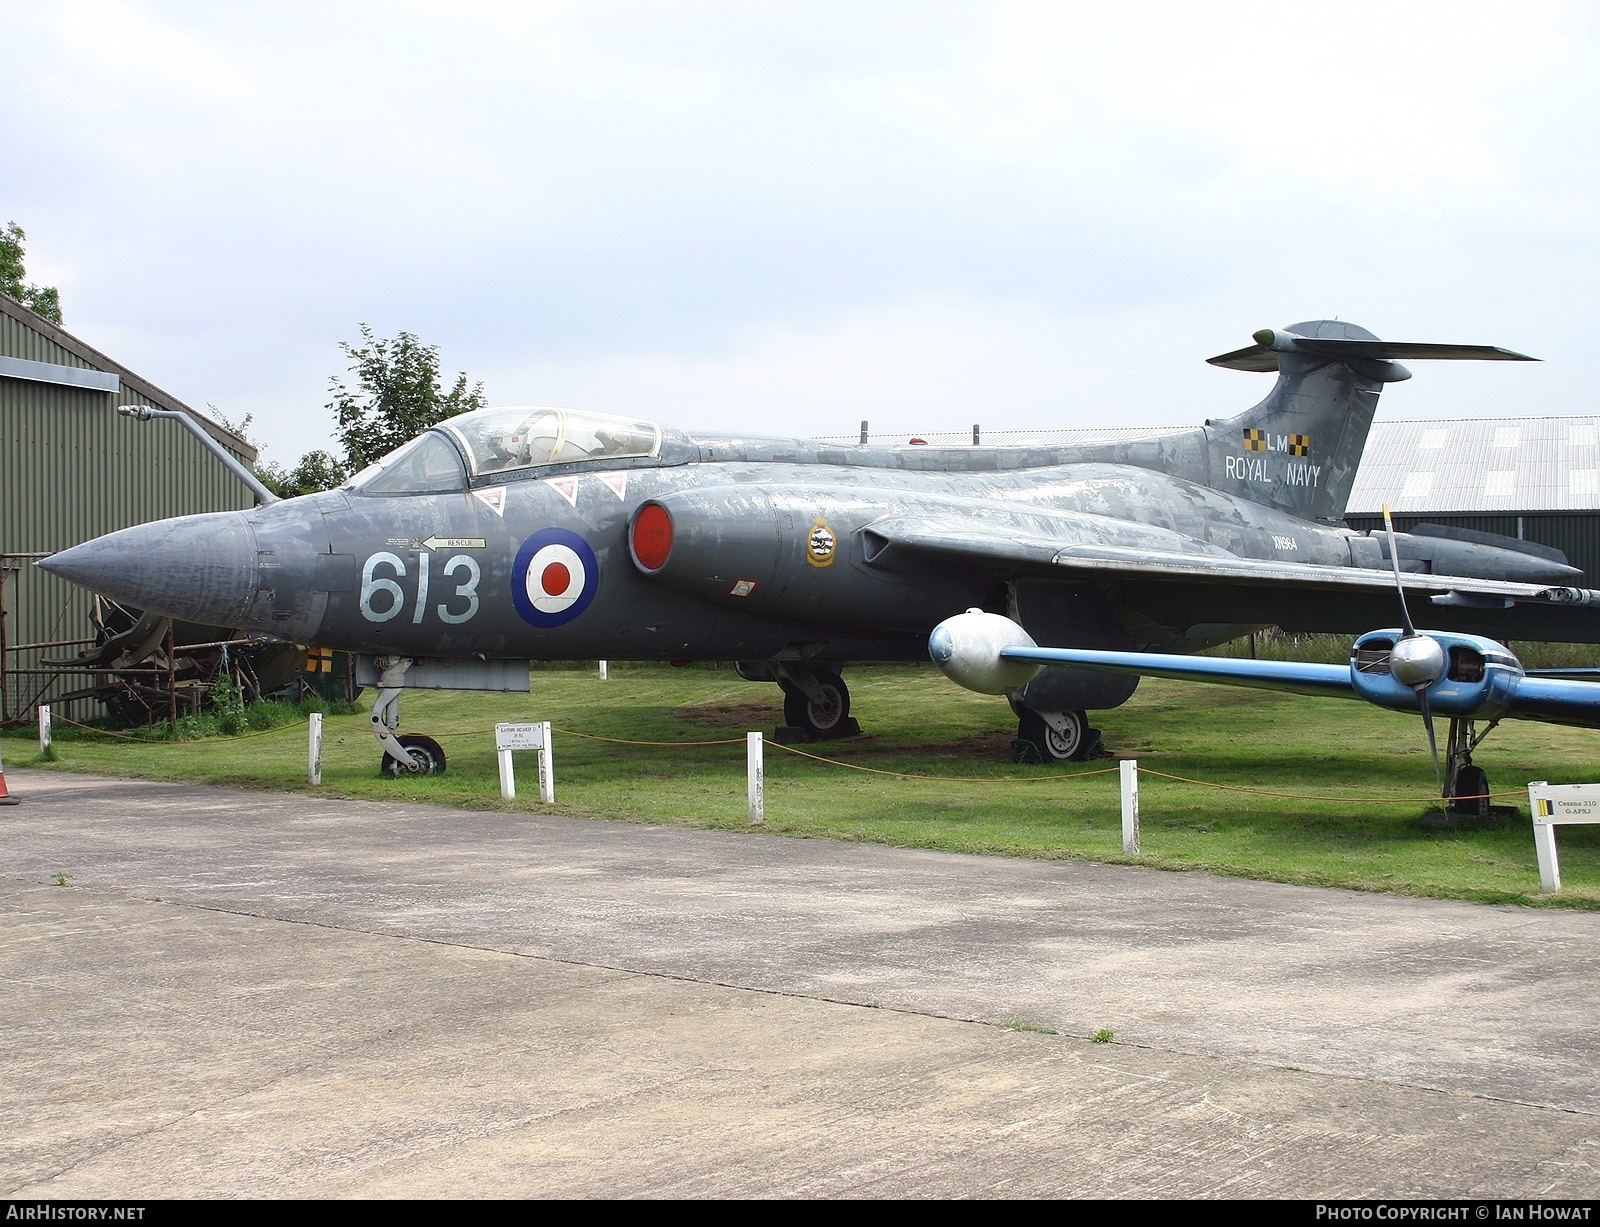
[(71, 470)]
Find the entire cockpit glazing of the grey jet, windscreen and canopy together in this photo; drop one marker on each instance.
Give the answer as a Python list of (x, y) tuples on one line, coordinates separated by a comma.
[(502, 441)]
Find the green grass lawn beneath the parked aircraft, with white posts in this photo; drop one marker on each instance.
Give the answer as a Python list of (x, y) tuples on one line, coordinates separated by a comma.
[(1332, 754)]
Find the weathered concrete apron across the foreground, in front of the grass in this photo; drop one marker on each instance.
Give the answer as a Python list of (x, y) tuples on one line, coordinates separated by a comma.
[(286, 996)]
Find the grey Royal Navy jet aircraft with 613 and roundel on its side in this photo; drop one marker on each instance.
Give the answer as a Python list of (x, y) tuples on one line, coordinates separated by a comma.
[(538, 534)]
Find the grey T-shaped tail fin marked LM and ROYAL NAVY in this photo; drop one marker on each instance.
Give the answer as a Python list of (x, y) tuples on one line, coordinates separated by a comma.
[(1298, 450)]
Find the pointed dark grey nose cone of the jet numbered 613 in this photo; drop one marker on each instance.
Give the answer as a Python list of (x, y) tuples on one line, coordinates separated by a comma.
[(201, 569)]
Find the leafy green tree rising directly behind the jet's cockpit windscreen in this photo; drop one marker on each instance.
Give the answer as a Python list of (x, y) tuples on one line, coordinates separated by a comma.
[(399, 396)]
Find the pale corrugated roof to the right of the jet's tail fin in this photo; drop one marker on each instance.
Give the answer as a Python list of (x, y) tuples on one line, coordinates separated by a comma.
[(1481, 465)]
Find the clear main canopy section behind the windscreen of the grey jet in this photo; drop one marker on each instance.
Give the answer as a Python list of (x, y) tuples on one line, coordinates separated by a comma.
[(506, 439)]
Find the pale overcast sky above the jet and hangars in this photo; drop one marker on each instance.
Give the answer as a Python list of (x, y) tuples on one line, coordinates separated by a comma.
[(791, 217)]
